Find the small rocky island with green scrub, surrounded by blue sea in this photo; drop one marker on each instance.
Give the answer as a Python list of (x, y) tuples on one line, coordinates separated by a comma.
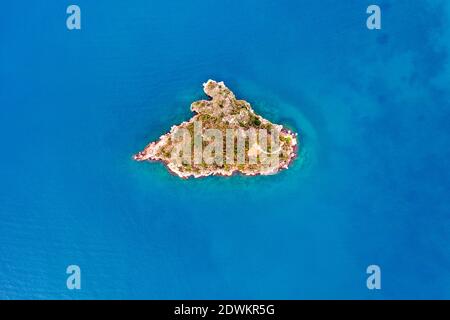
[(225, 136)]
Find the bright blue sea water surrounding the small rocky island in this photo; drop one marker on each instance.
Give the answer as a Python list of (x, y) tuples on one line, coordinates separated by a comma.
[(371, 184)]
